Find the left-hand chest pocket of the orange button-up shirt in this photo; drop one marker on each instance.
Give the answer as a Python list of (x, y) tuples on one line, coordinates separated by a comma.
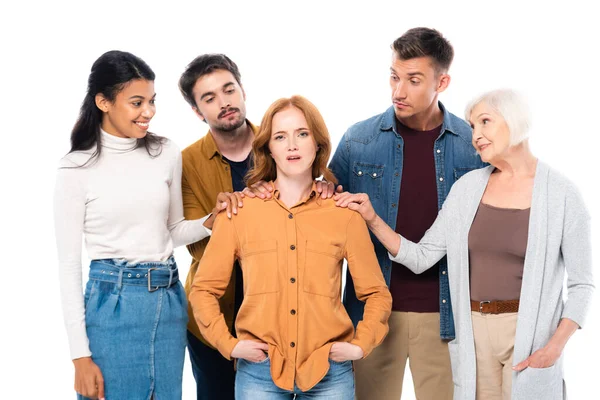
[(259, 267)]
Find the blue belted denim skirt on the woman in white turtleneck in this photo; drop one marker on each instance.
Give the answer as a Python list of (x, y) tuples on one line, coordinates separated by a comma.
[(136, 317)]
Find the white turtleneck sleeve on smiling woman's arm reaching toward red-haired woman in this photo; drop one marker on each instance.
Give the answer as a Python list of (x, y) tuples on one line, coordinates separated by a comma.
[(182, 231)]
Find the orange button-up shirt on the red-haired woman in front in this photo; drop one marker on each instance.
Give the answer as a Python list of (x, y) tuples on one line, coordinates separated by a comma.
[(291, 260)]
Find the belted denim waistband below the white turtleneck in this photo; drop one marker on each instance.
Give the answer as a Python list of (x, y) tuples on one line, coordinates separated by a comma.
[(154, 275)]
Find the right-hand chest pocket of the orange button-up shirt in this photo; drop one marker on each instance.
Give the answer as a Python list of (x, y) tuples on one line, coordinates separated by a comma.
[(322, 269)]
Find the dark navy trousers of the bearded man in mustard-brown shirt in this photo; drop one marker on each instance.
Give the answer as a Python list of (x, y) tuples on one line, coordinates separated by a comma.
[(213, 373)]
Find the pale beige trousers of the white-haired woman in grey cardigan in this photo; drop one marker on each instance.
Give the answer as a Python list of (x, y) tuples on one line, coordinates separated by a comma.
[(494, 345)]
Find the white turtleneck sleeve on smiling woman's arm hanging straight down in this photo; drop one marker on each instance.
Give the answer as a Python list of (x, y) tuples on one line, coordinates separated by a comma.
[(69, 214)]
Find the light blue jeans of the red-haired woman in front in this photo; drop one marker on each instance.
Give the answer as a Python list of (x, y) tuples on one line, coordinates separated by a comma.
[(253, 382)]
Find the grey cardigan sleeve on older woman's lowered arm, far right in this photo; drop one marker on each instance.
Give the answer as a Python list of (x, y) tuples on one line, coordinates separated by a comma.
[(576, 249)]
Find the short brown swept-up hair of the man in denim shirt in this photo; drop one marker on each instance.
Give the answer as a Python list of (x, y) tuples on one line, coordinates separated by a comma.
[(425, 42)]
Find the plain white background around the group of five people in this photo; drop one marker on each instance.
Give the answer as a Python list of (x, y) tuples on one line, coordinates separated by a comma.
[(337, 56)]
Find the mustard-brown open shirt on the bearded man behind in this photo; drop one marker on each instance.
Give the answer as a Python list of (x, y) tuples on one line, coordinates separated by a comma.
[(205, 174)]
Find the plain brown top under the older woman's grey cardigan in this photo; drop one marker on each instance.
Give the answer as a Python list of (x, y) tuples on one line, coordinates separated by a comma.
[(497, 246)]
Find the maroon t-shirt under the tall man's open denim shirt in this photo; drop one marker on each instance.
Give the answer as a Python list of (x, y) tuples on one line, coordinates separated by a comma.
[(417, 209)]
